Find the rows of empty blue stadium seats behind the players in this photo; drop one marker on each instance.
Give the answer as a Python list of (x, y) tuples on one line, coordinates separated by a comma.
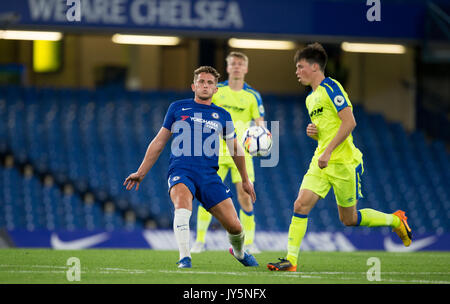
[(72, 150)]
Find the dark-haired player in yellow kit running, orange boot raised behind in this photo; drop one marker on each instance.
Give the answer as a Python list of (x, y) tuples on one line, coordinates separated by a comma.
[(336, 162)]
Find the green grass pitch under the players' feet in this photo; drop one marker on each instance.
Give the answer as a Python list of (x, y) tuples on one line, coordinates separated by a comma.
[(36, 266)]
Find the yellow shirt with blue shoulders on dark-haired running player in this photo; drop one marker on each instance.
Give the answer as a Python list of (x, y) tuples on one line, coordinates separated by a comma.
[(323, 106)]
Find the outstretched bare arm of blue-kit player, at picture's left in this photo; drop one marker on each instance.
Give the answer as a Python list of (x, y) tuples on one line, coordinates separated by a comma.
[(154, 149)]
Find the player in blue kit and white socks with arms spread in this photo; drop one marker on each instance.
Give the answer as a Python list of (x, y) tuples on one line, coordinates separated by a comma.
[(196, 126)]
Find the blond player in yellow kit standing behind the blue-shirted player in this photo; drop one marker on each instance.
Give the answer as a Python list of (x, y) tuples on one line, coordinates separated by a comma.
[(245, 105)]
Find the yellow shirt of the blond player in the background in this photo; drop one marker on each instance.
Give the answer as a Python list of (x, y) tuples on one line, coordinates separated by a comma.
[(244, 106)]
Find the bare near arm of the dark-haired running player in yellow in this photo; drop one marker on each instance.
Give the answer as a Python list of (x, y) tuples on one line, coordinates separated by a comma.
[(348, 123)]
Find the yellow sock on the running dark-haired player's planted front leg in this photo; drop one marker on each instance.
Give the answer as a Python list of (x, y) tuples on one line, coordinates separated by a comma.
[(297, 231)]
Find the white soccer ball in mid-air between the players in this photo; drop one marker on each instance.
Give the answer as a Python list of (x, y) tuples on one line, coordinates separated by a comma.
[(257, 141)]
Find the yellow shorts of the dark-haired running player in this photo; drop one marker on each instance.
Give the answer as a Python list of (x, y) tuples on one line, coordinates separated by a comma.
[(344, 178)]
